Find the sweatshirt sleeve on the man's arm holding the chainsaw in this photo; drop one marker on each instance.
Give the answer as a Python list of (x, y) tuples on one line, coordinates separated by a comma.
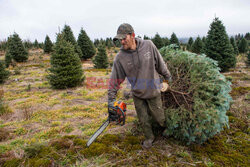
[(117, 77)]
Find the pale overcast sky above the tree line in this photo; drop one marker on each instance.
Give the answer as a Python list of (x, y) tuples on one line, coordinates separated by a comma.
[(33, 19)]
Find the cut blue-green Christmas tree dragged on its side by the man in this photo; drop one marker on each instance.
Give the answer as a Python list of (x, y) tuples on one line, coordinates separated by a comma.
[(199, 97)]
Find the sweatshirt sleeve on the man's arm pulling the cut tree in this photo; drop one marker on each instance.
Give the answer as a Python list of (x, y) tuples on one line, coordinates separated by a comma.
[(161, 66)]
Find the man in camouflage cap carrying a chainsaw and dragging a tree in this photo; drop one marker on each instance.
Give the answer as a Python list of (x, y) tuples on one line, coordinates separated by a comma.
[(140, 61)]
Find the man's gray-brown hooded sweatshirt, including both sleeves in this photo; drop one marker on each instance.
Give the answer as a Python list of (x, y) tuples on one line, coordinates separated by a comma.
[(141, 67)]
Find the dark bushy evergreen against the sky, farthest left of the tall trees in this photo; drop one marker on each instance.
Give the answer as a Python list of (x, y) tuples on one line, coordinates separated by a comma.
[(16, 48)]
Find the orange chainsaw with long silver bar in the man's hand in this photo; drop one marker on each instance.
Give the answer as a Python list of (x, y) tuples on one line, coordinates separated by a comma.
[(120, 109)]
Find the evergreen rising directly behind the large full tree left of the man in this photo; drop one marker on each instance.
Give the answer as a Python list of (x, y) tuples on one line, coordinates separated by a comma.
[(68, 35)]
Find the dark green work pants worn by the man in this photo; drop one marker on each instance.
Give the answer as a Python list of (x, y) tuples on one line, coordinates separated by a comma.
[(149, 111)]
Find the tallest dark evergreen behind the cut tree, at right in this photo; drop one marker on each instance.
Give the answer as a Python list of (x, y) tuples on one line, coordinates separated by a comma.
[(218, 46)]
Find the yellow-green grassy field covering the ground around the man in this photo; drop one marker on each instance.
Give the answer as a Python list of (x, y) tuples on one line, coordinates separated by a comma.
[(40, 126)]
